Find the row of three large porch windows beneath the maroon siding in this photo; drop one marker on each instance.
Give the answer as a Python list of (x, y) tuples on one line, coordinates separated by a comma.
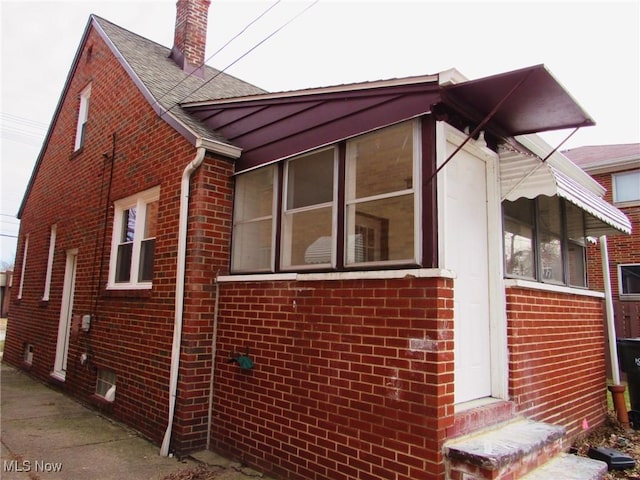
[(326, 220)]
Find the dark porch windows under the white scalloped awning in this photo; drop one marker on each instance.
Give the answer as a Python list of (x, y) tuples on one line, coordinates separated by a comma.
[(544, 240)]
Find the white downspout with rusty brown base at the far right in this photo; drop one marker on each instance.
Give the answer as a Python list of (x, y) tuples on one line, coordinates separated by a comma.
[(617, 389)]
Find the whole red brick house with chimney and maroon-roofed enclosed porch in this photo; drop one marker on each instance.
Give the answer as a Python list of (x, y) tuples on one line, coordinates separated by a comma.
[(340, 282)]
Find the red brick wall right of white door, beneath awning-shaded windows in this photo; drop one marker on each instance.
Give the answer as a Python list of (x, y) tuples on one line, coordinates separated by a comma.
[(556, 357)]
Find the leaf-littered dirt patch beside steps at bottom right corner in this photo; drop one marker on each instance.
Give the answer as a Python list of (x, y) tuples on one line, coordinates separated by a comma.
[(612, 435)]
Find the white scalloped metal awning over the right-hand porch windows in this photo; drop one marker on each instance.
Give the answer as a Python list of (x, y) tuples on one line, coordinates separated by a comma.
[(524, 174)]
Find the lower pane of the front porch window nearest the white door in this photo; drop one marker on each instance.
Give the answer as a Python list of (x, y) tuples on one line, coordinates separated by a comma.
[(380, 230)]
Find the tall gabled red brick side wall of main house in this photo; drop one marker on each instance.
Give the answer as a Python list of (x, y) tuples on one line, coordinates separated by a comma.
[(132, 330)]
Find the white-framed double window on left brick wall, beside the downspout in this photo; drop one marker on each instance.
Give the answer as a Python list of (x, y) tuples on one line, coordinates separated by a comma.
[(134, 238)]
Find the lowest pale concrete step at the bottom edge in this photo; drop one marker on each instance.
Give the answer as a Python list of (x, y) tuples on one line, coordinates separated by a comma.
[(569, 467)]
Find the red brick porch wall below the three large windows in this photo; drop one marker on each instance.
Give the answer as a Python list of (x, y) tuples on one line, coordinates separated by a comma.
[(339, 390)]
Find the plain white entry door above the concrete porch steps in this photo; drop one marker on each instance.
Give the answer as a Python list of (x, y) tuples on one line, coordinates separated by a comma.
[(466, 253)]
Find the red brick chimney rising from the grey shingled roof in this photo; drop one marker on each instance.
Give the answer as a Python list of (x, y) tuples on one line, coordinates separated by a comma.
[(190, 38)]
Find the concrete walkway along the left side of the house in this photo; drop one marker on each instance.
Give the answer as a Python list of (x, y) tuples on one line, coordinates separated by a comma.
[(46, 435)]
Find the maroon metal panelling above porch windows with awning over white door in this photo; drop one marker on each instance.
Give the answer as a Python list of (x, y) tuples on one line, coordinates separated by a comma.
[(274, 126)]
